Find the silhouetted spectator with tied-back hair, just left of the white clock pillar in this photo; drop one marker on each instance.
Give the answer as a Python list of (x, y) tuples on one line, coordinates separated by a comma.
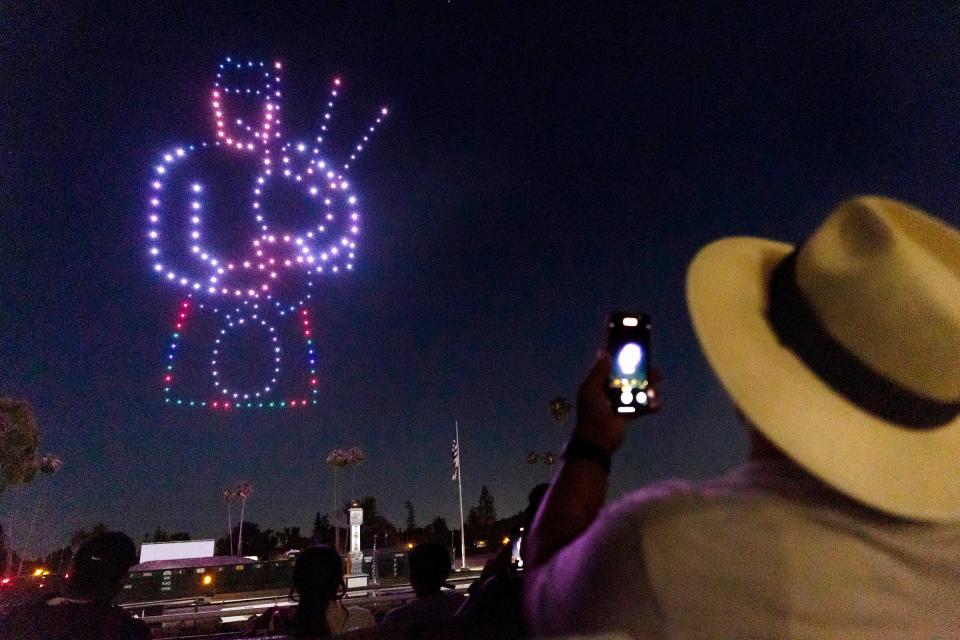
[(317, 587)]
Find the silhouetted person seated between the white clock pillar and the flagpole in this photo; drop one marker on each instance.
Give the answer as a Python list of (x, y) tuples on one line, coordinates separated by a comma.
[(429, 570)]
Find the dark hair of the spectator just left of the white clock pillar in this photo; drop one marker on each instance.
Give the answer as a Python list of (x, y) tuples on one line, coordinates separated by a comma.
[(317, 579)]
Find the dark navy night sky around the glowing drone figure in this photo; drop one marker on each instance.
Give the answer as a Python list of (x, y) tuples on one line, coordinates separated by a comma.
[(543, 164)]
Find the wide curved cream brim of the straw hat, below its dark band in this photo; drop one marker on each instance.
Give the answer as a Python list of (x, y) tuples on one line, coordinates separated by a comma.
[(906, 472)]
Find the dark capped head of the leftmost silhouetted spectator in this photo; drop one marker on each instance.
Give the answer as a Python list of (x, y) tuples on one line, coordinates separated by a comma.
[(100, 565)]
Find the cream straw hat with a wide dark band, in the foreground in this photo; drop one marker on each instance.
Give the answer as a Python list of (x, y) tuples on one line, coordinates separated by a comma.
[(845, 351)]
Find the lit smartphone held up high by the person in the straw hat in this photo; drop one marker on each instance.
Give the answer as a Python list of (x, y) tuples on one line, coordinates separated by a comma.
[(628, 342)]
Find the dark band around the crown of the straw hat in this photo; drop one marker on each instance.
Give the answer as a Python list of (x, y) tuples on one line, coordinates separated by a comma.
[(796, 325)]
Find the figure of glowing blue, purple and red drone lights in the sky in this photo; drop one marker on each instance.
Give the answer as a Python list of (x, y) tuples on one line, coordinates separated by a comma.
[(243, 225)]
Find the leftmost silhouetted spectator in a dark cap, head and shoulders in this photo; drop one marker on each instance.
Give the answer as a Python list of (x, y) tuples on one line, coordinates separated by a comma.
[(84, 610)]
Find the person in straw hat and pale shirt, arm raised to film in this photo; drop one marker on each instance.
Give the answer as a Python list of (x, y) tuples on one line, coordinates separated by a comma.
[(842, 357)]
